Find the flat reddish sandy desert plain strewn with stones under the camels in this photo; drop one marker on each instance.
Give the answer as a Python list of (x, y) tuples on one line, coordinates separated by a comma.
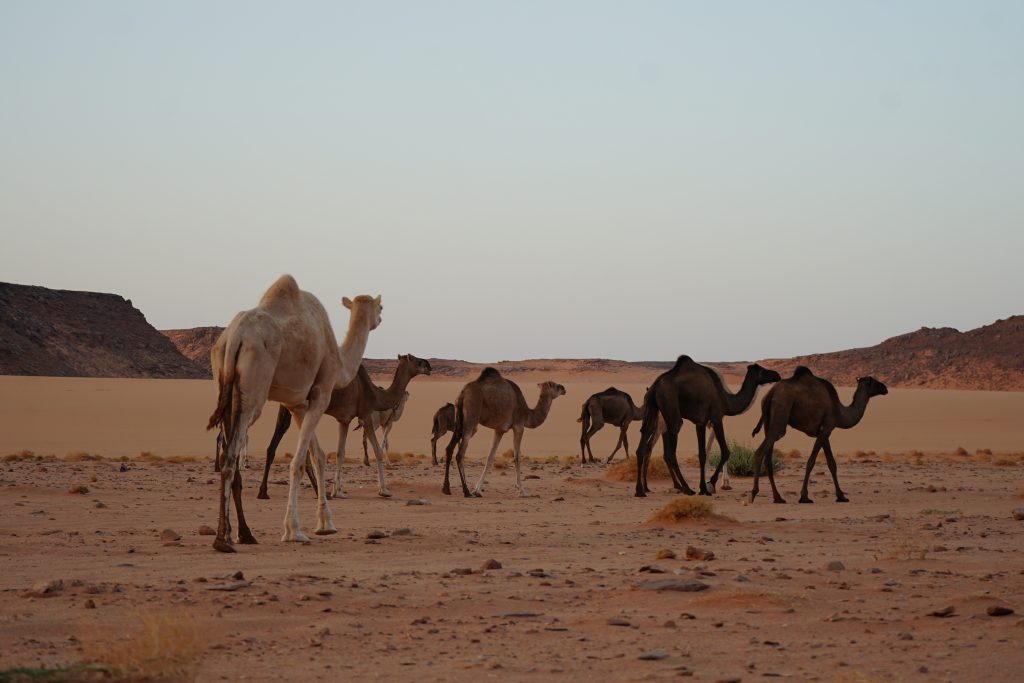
[(898, 585)]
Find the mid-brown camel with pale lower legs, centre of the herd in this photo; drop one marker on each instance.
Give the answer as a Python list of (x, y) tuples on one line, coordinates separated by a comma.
[(496, 403)]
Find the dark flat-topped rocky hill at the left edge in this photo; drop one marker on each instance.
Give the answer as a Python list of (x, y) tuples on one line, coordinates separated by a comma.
[(82, 334)]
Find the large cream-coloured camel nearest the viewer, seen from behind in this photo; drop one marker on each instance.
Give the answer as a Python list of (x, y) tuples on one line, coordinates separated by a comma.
[(283, 351)]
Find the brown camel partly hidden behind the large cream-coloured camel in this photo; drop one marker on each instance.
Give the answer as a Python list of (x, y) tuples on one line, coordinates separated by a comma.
[(361, 399)]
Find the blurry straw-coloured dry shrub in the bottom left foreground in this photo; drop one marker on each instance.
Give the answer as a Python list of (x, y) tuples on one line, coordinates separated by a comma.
[(165, 647)]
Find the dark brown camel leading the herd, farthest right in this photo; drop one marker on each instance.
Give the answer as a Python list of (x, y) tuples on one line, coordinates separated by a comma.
[(810, 405)]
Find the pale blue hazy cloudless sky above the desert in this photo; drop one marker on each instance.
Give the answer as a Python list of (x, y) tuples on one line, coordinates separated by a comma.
[(523, 180)]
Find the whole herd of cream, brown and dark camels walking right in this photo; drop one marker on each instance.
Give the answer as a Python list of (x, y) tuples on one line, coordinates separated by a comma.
[(285, 351)]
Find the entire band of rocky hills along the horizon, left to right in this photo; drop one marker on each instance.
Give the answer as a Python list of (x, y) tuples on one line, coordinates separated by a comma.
[(84, 334)]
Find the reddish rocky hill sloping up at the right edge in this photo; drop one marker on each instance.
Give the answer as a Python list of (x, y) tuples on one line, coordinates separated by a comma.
[(989, 358)]
